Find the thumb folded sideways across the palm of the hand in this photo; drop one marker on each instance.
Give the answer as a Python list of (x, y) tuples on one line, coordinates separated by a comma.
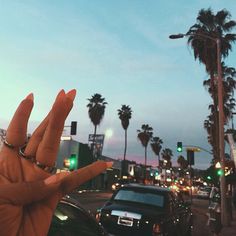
[(25, 192)]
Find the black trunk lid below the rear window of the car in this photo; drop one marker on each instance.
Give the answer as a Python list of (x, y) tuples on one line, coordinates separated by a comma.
[(143, 210)]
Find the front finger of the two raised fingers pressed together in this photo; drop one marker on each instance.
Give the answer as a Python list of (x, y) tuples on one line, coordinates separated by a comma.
[(48, 147)]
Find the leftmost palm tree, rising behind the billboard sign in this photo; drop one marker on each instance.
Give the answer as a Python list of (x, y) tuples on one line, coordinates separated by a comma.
[(96, 111)]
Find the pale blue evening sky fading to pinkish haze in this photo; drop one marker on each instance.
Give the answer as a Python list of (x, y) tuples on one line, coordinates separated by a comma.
[(119, 49)]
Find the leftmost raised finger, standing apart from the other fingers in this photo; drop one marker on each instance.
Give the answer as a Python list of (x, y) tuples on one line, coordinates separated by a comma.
[(17, 129)]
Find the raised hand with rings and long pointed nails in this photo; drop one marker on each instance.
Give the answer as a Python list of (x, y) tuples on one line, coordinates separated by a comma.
[(29, 194)]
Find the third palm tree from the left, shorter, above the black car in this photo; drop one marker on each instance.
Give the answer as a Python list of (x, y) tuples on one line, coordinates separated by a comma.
[(144, 135)]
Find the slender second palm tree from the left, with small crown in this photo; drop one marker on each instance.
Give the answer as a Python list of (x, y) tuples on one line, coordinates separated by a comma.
[(125, 114)]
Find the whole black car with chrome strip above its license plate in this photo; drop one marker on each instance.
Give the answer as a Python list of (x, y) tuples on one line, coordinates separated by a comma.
[(137, 209)]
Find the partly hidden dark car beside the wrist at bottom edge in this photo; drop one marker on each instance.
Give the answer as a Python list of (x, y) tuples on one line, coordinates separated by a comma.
[(70, 219)]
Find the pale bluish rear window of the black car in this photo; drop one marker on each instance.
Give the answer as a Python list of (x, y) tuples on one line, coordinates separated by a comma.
[(149, 198)]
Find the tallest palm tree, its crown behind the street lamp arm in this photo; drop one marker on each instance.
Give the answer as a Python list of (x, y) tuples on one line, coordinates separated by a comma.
[(217, 26)]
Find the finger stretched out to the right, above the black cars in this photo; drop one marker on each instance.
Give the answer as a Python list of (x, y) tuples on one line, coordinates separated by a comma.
[(71, 181)]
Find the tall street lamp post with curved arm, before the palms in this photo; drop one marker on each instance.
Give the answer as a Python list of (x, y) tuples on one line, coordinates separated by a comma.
[(224, 218)]
